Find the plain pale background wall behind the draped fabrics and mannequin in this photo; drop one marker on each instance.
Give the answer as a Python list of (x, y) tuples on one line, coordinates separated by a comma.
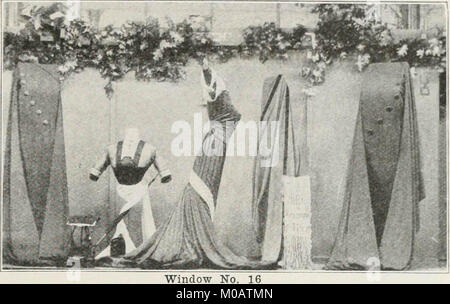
[(153, 108)]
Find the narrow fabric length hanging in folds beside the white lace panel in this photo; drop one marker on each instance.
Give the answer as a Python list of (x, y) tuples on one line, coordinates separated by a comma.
[(282, 159)]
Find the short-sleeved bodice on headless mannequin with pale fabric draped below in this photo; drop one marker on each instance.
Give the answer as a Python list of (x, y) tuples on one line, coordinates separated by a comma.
[(130, 172)]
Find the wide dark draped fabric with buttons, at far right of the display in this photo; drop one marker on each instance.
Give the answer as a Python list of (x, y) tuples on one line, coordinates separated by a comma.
[(384, 182)]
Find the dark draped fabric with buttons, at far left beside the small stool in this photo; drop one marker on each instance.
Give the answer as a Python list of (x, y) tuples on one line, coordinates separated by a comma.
[(35, 184)]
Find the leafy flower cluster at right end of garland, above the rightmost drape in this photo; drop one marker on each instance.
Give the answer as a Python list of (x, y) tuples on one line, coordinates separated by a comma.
[(355, 30)]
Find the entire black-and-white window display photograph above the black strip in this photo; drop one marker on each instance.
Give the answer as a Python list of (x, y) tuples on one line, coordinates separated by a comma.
[(268, 138)]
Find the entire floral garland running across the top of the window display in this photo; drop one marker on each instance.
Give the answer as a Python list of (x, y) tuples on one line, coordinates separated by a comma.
[(160, 53)]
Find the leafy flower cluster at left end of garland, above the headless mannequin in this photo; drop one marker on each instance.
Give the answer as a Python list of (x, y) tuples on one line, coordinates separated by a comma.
[(153, 52)]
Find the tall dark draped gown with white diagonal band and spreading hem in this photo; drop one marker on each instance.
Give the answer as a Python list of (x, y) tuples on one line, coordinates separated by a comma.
[(188, 239)]
